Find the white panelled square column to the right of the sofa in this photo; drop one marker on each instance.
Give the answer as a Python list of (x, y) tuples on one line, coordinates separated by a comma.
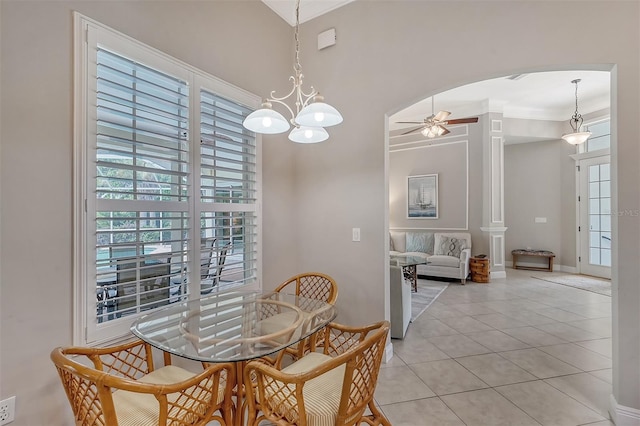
[(493, 192)]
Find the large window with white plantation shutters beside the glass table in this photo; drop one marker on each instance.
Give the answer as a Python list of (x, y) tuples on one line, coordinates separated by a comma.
[(163, 205)]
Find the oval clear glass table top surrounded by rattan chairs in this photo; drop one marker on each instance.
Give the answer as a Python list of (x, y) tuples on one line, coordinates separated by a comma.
[(233, 325)]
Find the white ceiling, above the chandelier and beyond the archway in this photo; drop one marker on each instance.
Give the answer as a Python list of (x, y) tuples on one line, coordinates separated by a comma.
[(540, 96)]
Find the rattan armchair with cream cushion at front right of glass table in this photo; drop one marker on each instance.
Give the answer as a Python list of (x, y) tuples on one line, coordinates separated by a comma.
[(332, 387)]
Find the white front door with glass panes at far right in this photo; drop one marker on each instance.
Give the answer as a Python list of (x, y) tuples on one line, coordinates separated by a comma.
[(595, 216)]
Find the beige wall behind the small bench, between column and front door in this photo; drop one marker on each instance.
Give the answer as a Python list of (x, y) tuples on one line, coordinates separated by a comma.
[(540, 182)]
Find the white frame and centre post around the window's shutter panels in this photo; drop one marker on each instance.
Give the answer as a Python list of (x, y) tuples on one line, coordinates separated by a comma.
[(88, 34)]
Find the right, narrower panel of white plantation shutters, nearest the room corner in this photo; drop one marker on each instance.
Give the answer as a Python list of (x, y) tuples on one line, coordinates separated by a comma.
[(228, 186)]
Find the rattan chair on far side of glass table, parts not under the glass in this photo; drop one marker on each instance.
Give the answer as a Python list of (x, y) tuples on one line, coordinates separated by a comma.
[(312, 285)]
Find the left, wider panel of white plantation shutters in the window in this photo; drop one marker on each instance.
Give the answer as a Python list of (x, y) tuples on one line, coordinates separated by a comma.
[(141, 186)]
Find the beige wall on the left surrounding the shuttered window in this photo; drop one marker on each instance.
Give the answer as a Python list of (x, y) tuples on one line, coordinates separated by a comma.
[(244, 43)]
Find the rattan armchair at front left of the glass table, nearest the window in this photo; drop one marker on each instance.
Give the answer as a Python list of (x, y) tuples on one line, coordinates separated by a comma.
[(120, 386)]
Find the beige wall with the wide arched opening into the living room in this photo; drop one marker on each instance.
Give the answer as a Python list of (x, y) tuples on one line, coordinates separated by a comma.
[(381, 64)]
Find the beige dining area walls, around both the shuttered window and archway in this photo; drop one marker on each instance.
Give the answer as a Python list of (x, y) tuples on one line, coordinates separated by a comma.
[(314, 194)]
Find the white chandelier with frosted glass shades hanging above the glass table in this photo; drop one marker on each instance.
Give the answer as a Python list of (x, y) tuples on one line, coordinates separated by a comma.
[(311, 115)]
